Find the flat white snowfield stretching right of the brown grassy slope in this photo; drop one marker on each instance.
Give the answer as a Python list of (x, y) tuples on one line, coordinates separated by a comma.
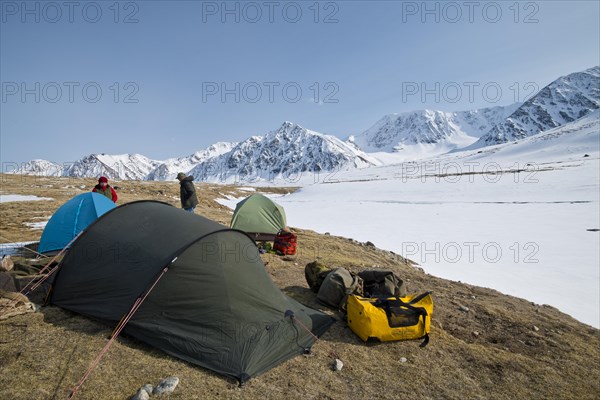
[(526, 239)]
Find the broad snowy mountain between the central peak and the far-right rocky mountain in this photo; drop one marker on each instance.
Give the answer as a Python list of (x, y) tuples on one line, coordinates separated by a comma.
[(448, 130)]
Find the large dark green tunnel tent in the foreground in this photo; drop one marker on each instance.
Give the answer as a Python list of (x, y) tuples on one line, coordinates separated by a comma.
[(215, 306)]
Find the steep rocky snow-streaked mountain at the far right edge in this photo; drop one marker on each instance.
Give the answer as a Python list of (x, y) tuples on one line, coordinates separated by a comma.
[(566, 99)]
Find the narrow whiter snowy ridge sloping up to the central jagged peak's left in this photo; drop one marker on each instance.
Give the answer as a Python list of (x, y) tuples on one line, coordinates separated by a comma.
[(168, 169)]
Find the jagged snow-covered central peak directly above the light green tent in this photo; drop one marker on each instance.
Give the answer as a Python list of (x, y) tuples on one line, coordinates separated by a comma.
[(288, 151)]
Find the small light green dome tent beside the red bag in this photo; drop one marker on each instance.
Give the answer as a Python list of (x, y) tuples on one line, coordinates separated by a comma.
[(258, 214)]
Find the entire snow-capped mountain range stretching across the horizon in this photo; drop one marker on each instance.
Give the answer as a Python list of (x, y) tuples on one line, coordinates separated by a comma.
[(293, 149)]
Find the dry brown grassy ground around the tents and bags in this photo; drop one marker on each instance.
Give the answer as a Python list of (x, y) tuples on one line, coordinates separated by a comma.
[(502, 348)]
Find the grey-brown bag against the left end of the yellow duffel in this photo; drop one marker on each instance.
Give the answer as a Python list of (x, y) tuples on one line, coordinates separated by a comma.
[(337, 286)]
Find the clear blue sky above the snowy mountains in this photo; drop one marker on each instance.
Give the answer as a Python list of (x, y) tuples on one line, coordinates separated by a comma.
[(165, 79)]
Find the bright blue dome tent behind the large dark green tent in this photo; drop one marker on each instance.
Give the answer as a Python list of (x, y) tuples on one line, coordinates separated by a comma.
[(71, 218)]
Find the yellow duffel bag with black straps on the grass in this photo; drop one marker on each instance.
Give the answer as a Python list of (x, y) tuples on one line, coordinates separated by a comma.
[(395, 318)]
